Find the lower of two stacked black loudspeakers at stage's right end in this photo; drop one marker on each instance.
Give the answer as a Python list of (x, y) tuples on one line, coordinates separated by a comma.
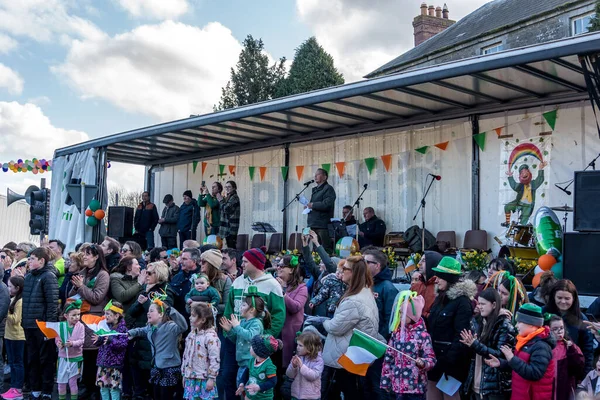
[(581, 263)]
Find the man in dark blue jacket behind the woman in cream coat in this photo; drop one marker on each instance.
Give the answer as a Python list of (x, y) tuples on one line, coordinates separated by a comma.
[(385, 293)]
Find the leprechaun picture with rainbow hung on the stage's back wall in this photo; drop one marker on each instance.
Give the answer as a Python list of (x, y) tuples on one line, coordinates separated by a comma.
[(526, 161)]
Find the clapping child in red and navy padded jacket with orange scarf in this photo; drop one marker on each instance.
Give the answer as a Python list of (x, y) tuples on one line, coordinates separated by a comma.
[(532, 364)]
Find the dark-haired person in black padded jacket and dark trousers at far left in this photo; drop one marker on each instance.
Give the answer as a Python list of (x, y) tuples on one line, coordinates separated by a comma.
[(40, 302)]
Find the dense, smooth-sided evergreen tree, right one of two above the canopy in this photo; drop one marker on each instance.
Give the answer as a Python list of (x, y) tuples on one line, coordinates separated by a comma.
[(312, 69)]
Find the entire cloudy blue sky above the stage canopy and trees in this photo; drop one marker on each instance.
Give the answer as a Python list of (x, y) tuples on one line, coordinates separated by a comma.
[(71, 70)]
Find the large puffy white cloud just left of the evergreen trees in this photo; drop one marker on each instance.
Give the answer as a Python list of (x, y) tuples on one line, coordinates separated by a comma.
[(168, 71)]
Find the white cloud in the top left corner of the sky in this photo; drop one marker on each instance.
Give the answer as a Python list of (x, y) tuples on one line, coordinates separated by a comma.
[(44, 20)]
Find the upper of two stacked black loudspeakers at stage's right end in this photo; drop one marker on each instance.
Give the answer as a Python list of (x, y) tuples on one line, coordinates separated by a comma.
[(587, 194)]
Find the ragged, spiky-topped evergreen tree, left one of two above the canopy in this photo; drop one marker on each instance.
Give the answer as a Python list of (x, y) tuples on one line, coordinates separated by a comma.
[(252, 80)]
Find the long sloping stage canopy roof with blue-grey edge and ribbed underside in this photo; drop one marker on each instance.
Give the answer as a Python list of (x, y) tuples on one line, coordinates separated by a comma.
[(545, 74)]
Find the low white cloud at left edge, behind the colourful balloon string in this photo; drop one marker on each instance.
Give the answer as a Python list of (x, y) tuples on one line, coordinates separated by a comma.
[(27, 133)]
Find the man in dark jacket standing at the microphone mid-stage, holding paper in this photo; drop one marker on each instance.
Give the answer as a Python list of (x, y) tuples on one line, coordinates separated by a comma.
[(322, 204)]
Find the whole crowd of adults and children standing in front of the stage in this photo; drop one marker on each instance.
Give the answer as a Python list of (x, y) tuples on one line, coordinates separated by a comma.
[(208, 323)]
